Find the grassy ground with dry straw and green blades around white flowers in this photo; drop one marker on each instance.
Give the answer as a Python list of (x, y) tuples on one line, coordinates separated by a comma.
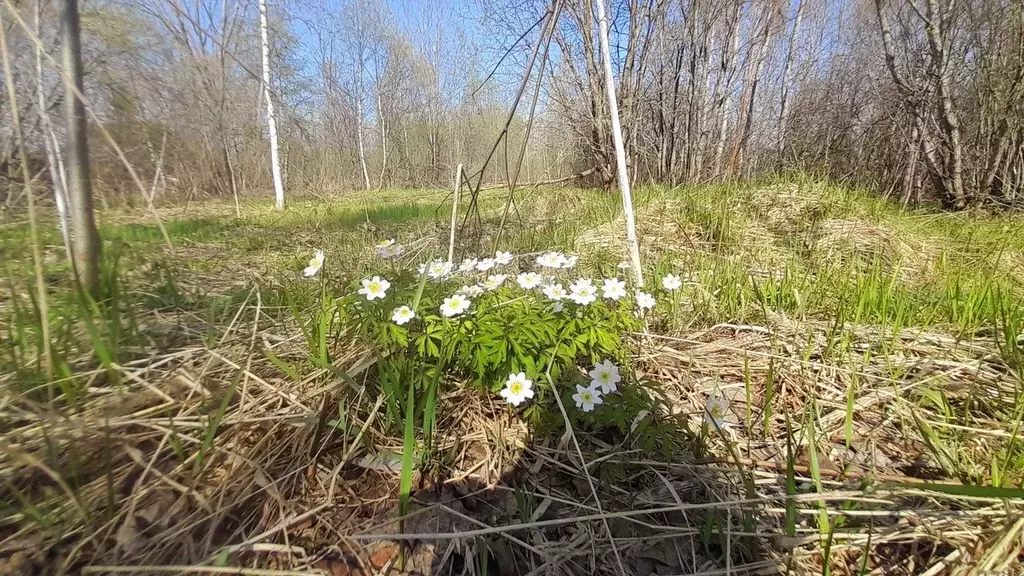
[(872, 358)]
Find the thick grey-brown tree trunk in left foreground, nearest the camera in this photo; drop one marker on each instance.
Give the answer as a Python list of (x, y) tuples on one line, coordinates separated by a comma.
[(86, 238)]
